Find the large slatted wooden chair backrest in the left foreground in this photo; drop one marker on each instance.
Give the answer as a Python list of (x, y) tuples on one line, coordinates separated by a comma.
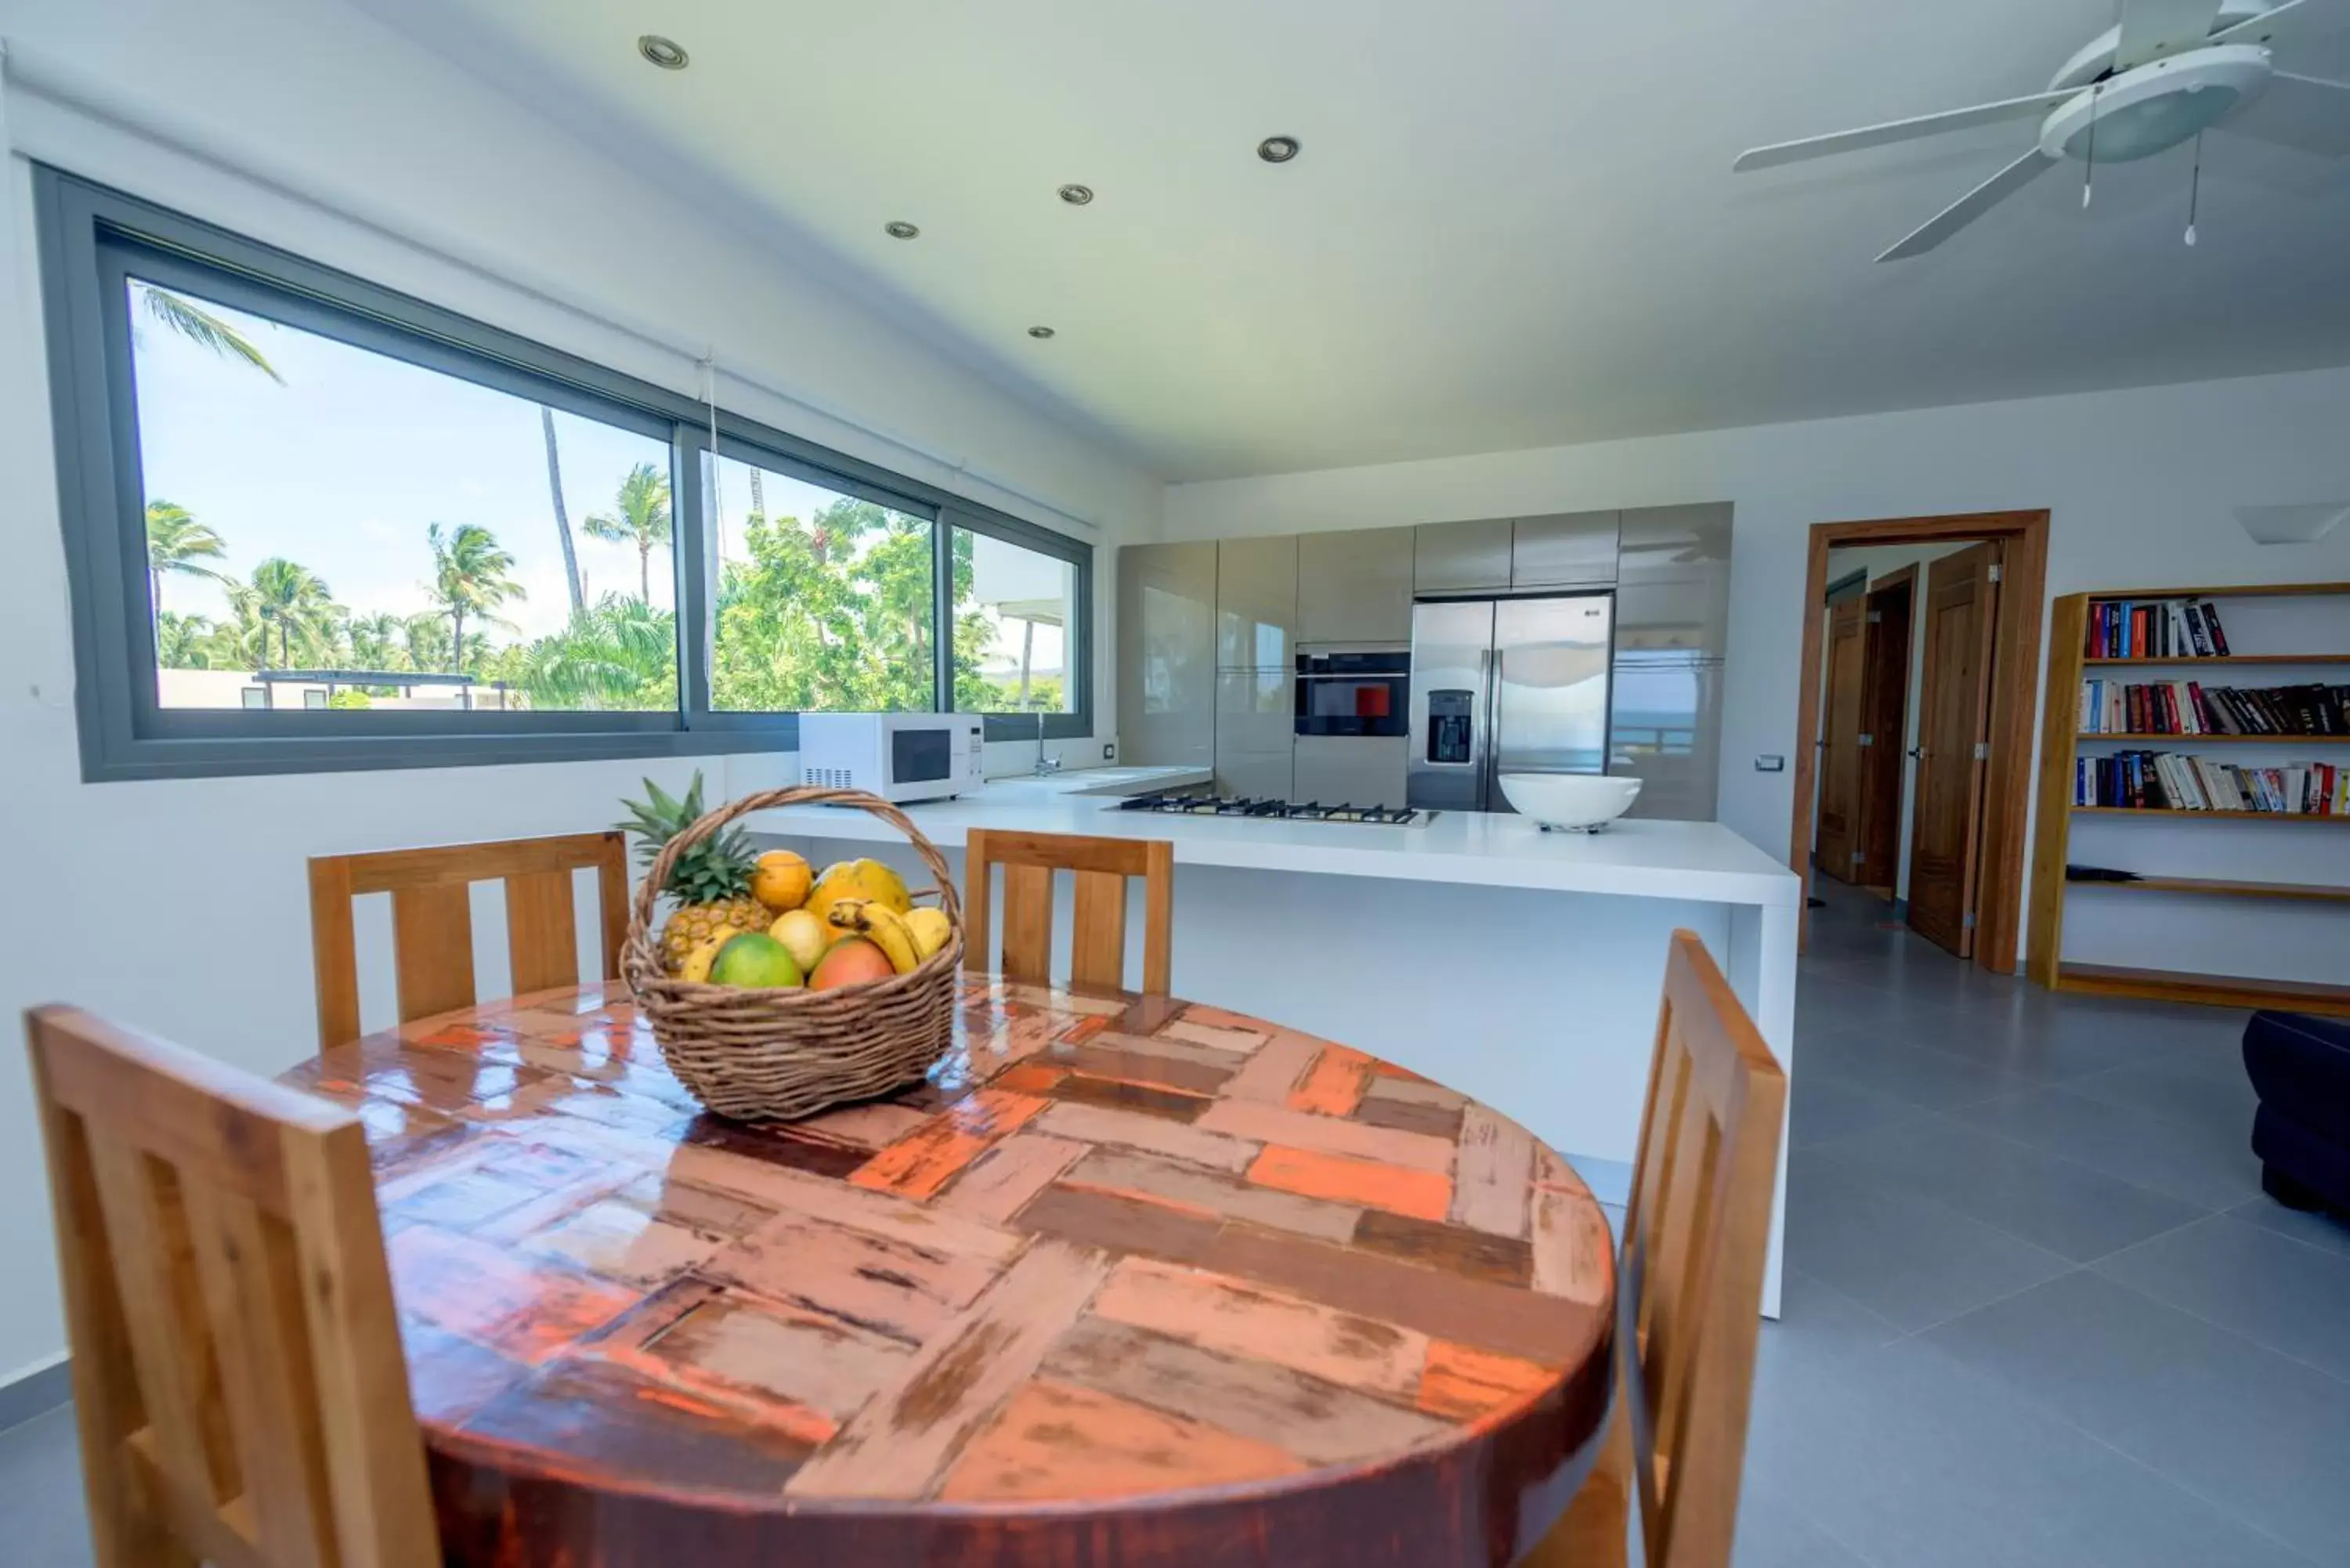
[(236, 1362)]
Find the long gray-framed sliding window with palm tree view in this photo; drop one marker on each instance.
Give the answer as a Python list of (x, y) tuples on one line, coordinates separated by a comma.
[(321, 525)]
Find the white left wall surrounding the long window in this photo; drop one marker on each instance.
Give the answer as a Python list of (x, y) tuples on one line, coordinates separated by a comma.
[(182, 906)]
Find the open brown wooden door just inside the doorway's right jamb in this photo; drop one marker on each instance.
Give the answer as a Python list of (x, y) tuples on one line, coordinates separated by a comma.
[(1954, 746)]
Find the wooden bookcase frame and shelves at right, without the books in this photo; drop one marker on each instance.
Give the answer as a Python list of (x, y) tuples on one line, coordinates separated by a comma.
[(2062, 742)]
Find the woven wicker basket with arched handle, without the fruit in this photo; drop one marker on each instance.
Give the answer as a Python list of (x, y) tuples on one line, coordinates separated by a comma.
[(784, 1054)]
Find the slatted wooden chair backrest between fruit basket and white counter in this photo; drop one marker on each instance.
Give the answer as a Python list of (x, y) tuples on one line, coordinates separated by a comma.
[(1099, 939)]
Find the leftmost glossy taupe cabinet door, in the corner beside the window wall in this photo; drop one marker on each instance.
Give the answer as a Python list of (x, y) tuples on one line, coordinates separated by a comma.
[(1167, 655)]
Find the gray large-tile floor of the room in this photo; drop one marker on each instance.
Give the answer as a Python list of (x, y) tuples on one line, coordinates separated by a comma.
[(2036, 1306)]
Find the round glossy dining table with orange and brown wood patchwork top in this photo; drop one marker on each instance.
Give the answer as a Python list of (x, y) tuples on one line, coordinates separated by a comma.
[(1124, 1282)]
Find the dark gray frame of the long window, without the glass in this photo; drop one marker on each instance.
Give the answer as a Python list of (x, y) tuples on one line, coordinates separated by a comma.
[(93, 239)]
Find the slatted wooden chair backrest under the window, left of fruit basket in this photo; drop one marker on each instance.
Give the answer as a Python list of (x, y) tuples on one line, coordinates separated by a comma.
[(434, 920)]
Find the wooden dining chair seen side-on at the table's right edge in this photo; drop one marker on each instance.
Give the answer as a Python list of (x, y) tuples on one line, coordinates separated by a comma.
[(1688, 1287)]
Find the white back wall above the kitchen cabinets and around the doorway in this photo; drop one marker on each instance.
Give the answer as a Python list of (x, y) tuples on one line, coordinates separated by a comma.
[(2140, 488)]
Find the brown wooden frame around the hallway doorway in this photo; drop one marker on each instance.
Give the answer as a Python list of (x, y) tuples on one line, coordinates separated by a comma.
[(2015, 699)]
